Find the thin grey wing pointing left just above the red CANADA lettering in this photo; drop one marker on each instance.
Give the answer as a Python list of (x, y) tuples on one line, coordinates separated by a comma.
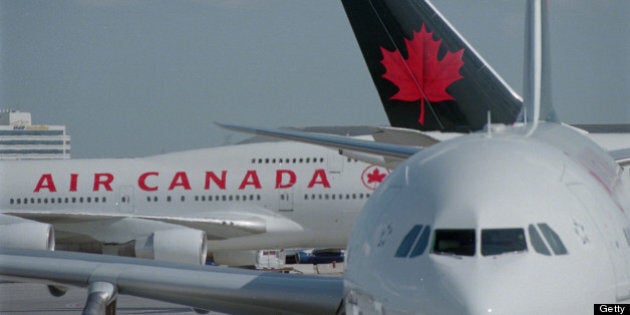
[(387, 150)]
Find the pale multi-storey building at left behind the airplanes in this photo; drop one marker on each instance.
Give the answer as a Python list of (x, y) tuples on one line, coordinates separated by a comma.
[(21, 140)]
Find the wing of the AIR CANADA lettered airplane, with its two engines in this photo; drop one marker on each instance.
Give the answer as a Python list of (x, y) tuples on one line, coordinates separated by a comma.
[(180, 237)]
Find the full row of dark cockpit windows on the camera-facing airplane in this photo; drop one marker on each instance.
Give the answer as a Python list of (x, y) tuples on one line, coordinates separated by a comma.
[(462, 242)]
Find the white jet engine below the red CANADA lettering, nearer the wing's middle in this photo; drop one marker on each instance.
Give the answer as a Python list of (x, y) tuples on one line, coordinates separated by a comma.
[(182, 245)]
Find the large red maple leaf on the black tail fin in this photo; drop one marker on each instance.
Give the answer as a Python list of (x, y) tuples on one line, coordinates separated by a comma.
[(422, 76)]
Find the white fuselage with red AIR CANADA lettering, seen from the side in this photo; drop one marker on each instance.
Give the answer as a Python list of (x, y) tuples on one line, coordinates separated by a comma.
[(281, 194)]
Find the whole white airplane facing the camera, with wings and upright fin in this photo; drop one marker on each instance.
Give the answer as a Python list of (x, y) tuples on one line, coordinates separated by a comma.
[(530, 217)]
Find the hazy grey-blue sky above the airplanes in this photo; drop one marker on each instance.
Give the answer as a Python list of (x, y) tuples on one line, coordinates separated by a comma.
[(132, 78)]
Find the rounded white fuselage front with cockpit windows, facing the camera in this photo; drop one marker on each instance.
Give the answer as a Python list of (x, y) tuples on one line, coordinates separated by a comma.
[(498, 223)]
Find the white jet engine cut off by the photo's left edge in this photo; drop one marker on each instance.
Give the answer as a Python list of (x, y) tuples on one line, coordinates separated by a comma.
[(22, 233)]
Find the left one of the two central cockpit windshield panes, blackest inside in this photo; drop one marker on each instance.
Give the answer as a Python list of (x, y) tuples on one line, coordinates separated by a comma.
[(459, 242)]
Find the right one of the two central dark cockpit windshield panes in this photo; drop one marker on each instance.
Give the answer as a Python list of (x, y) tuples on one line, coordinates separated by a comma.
[(501, 241)]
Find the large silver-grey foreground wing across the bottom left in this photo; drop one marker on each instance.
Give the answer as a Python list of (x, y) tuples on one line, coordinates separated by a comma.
[(235, 291)]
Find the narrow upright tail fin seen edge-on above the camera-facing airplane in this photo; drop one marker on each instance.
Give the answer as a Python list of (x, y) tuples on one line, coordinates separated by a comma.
[(537, 76)]
